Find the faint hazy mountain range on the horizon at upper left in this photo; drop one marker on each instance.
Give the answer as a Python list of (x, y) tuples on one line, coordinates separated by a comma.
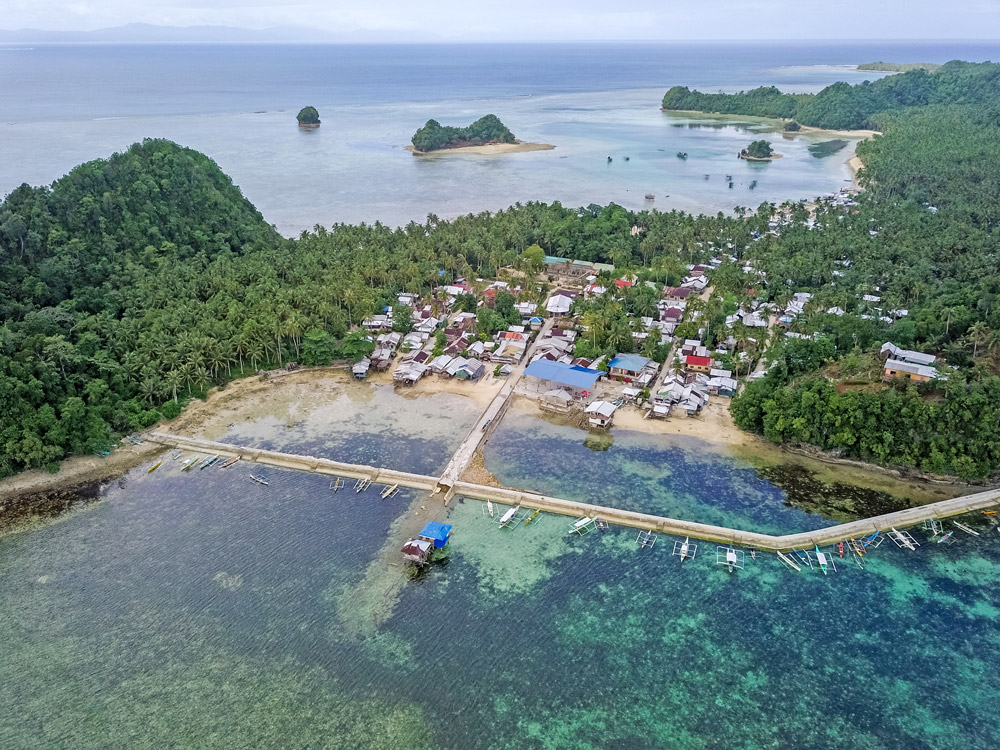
[(144, 33)]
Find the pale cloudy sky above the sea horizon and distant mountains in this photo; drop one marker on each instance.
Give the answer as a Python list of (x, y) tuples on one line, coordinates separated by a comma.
[(455, 20)]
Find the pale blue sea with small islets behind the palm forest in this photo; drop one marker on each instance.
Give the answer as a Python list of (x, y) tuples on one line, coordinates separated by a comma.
[(62, 105)]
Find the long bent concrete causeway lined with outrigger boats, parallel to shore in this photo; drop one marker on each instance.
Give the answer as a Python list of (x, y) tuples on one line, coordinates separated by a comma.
[(826, 536)]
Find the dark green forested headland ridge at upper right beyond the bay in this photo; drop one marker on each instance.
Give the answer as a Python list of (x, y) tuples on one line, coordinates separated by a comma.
[(842, 105)]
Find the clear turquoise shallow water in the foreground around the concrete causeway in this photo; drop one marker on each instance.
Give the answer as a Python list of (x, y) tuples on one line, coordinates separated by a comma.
[(203, 610)]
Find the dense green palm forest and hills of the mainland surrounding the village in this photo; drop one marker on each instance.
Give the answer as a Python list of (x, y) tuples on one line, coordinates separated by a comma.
[(138, 282)]
